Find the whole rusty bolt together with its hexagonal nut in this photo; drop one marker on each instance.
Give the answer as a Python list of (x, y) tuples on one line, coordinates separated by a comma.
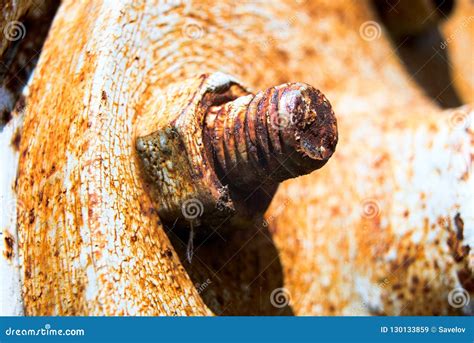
[(215, 152)]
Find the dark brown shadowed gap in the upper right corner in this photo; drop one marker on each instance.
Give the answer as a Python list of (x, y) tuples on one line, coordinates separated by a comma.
[(423, 52)]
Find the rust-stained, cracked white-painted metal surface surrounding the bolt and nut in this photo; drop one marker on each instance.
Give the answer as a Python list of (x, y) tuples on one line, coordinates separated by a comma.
[(92, 243)]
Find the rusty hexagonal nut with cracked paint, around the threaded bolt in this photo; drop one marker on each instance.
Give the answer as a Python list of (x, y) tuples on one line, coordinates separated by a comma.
[(178, 171)]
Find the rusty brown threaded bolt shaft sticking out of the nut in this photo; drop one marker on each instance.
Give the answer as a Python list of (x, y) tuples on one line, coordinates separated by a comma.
[(280, 133)]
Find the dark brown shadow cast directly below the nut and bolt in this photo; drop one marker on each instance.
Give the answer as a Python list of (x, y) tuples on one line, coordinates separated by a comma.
[(236, 274)]
